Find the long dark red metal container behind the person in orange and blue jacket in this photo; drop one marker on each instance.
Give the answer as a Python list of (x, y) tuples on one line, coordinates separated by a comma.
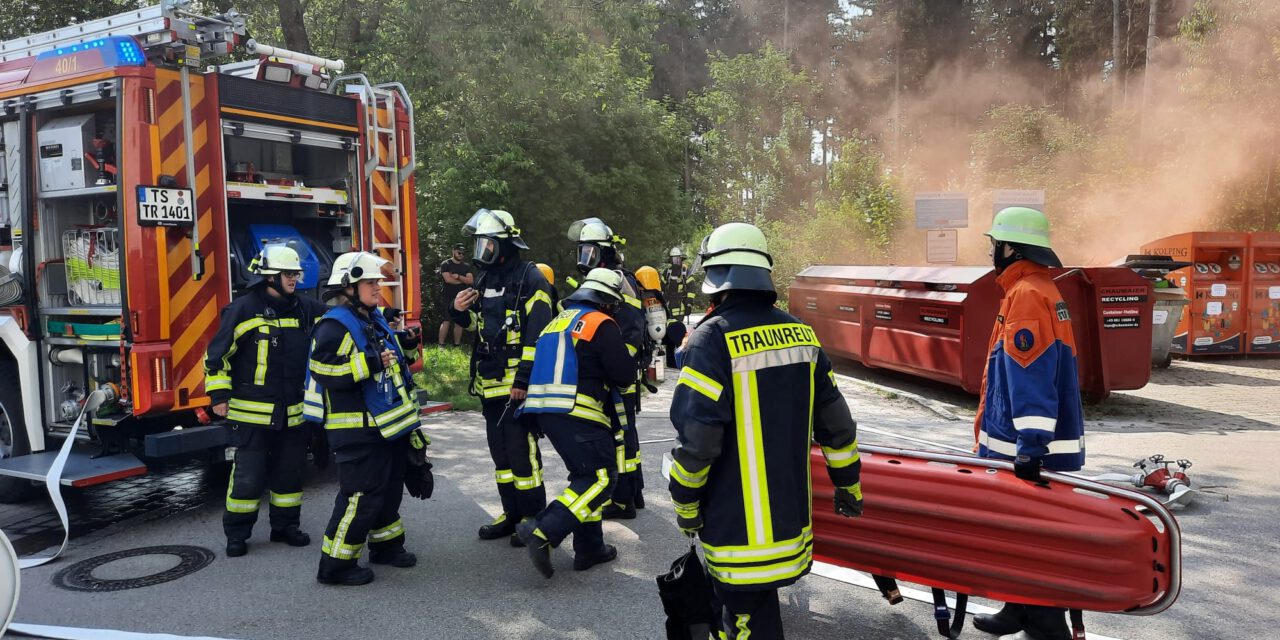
[(936, 322)]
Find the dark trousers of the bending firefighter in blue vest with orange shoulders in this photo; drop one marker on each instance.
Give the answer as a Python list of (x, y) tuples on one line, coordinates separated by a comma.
[(588, 454)]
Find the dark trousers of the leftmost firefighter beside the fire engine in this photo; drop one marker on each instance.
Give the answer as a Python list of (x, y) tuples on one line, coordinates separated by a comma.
[(267, 460)]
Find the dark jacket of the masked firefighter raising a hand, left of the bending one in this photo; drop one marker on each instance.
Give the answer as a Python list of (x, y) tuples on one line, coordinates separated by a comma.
[(514, 308)]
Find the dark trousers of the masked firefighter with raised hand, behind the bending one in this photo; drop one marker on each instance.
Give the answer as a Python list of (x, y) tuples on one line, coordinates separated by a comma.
[(516, 459)]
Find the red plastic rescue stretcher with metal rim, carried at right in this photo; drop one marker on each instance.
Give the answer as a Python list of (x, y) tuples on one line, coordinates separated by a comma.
[(968, 525)]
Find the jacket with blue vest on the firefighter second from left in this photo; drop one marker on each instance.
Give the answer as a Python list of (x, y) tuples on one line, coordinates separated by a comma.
[(349, 390)]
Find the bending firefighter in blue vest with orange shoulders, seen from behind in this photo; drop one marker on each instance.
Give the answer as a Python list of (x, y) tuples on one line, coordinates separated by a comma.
[(579, 365)]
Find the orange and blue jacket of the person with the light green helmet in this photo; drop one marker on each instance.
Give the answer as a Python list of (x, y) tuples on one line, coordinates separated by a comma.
[(1031, 392)]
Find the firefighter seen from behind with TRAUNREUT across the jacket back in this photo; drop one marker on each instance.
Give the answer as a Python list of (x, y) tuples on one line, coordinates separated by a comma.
[(753, 380)]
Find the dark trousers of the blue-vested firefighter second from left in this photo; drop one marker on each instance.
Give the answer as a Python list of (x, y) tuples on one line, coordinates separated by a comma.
[(371, 490)]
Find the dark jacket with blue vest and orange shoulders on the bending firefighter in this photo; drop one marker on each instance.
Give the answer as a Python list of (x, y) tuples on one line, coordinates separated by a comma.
[(579, 365)]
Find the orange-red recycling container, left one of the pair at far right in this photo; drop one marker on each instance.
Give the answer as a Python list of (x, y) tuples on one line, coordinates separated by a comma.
[(1214, 322)]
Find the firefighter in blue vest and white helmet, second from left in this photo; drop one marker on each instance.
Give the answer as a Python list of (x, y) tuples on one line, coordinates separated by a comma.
[(360, 387)]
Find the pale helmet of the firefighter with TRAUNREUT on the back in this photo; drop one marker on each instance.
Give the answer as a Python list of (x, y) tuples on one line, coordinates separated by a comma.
[(737, 258)]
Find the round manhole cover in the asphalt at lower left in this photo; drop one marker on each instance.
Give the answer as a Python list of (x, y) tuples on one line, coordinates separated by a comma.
[(80, 577)]
